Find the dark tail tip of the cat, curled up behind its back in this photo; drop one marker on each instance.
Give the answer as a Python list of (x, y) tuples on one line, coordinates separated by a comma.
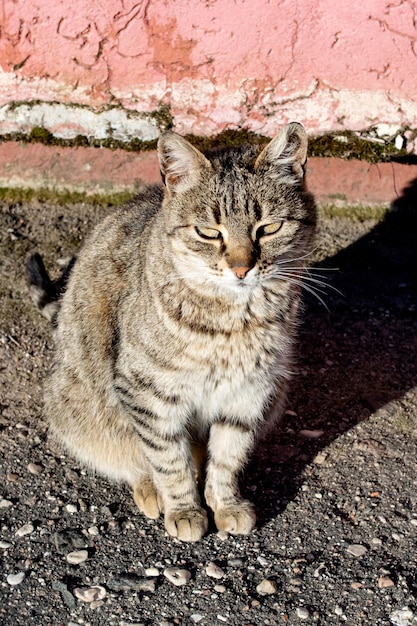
[(44, 292)]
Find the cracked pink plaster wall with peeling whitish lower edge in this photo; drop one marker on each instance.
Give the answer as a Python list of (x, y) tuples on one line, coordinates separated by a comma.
[(217, 63)]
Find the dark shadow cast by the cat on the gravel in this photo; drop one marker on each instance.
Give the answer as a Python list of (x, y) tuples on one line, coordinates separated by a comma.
[(354, 358)]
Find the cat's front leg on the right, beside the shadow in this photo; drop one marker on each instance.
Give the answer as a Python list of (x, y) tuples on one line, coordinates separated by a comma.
[(229, 447)]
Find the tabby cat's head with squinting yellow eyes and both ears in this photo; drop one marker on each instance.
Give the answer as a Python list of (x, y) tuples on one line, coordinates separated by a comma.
[(237, 218)]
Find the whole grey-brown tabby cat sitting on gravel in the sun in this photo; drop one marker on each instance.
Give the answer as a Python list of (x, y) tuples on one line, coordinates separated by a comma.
[(175, 330)]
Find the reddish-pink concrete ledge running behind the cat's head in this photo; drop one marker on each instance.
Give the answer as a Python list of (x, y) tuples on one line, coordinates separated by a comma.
[(103, 171)]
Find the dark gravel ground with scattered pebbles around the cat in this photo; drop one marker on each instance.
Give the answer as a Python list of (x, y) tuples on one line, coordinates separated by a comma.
[(334, 485)]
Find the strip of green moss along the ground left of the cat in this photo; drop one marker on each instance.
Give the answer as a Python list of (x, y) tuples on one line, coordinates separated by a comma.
[(43, 195)]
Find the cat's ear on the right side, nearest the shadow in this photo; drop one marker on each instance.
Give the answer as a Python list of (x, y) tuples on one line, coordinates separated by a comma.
[(286, 155)]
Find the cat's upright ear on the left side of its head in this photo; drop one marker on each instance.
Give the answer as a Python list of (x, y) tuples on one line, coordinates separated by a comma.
[(181, 164)]
